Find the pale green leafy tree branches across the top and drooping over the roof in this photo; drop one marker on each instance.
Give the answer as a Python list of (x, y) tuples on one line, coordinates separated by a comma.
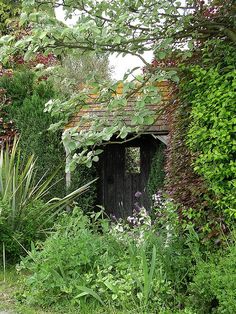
[(161, 27)]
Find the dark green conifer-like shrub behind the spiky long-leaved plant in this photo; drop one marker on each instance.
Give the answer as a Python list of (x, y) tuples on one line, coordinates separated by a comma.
[(26, 98)]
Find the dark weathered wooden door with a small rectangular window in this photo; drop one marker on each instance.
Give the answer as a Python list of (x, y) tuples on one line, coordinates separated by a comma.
[(122, 177)]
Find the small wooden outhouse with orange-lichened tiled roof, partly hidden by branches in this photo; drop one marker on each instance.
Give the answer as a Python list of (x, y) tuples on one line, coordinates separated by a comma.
[(124, 167)]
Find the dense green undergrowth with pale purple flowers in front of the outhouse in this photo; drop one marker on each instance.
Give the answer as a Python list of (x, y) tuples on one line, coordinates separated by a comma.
[(150, 265)]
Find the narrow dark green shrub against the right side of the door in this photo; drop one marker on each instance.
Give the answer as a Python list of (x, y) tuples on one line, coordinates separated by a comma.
[(157, 173)]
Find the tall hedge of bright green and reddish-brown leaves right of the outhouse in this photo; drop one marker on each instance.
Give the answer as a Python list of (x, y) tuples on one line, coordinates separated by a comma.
[(200, 168)]
